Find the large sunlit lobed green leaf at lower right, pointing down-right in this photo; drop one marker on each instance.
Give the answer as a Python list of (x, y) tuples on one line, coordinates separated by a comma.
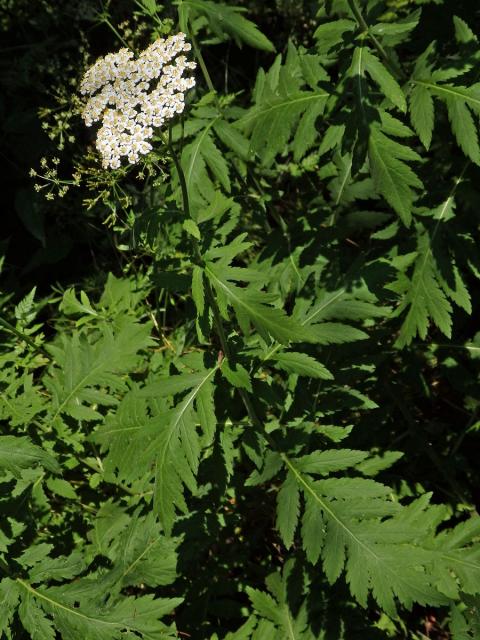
[(356, 536)]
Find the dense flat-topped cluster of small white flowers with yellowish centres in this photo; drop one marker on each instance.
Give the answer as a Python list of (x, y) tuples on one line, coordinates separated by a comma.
[(132, 96)]
